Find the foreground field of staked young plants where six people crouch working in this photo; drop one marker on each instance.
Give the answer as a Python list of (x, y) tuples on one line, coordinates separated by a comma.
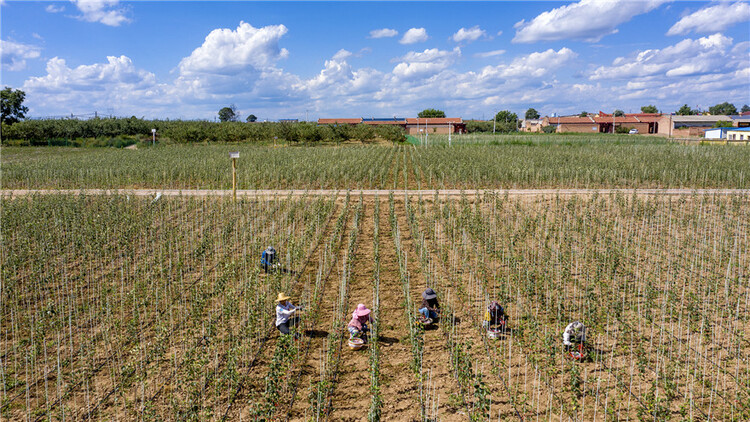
[(122, 308)]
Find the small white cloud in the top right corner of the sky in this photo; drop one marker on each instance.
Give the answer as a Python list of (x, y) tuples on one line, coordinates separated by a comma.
[(712, 19)]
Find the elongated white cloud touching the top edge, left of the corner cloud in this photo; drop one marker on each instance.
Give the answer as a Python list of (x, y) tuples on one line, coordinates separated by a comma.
[(587, 20)]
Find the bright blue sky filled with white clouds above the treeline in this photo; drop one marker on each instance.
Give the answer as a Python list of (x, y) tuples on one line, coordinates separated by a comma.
[(343, 59)]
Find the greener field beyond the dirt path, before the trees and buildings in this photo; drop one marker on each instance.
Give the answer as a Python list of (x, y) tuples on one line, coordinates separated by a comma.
[(473, 161)]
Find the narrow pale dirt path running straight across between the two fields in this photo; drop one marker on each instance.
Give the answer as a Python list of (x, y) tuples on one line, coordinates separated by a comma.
[(383, 193)]
